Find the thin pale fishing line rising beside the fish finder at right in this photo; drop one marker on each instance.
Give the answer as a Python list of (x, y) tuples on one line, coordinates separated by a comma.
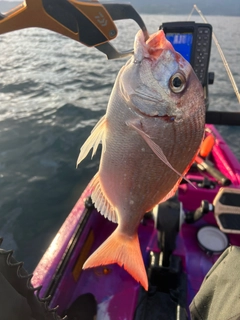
[(224, 60)]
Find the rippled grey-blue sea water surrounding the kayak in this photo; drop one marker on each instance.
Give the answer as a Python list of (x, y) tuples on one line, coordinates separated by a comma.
[(53, 90)]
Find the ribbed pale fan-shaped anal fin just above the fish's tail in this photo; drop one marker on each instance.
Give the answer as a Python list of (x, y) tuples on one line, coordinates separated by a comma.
[(101, 202)]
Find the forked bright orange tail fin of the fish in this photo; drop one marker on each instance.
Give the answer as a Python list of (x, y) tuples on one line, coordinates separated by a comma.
[(123, 250)]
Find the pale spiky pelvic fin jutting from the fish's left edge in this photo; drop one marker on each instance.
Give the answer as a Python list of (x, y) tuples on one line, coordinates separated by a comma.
[(97, 136)]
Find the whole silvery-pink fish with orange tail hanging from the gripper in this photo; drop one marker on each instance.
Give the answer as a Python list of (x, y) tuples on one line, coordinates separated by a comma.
[(150, 135)]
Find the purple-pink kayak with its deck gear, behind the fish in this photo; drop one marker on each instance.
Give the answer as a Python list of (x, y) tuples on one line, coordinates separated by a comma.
[(177, 263)]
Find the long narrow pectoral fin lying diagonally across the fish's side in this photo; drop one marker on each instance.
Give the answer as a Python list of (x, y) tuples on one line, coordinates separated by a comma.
[(156, 149)]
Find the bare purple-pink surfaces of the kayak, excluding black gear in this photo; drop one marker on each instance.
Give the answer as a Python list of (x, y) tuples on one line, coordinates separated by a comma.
[(116, 292)]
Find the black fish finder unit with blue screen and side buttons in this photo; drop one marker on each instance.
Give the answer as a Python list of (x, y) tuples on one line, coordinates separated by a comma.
[(193, 41)]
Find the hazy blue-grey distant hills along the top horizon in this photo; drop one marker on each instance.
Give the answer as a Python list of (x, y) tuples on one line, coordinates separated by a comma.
[(208, 7)]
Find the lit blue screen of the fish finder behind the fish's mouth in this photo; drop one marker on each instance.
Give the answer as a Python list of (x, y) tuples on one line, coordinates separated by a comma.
[(182, 43)]
